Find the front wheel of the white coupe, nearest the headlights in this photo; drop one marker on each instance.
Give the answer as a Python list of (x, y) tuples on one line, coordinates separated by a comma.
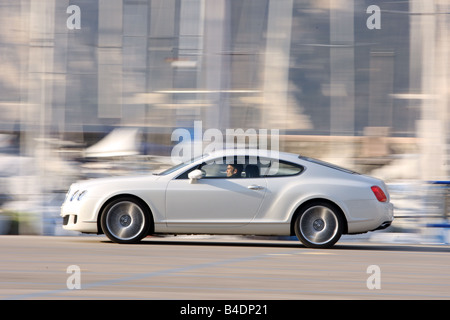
[(126, 220)]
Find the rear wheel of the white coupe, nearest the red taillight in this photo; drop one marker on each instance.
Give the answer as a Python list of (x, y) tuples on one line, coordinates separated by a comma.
[(319, 225)]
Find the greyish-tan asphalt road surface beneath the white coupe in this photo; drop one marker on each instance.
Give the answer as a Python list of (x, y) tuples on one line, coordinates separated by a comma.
[(196, 268)]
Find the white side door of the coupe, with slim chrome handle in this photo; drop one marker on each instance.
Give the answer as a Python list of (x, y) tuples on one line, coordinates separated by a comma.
[(215, 202)]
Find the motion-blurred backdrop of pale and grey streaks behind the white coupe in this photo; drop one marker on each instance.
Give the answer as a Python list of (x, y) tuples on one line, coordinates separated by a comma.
[(96, 88)]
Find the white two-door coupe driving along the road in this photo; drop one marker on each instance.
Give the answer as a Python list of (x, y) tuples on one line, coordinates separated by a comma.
[(233, 192)]
